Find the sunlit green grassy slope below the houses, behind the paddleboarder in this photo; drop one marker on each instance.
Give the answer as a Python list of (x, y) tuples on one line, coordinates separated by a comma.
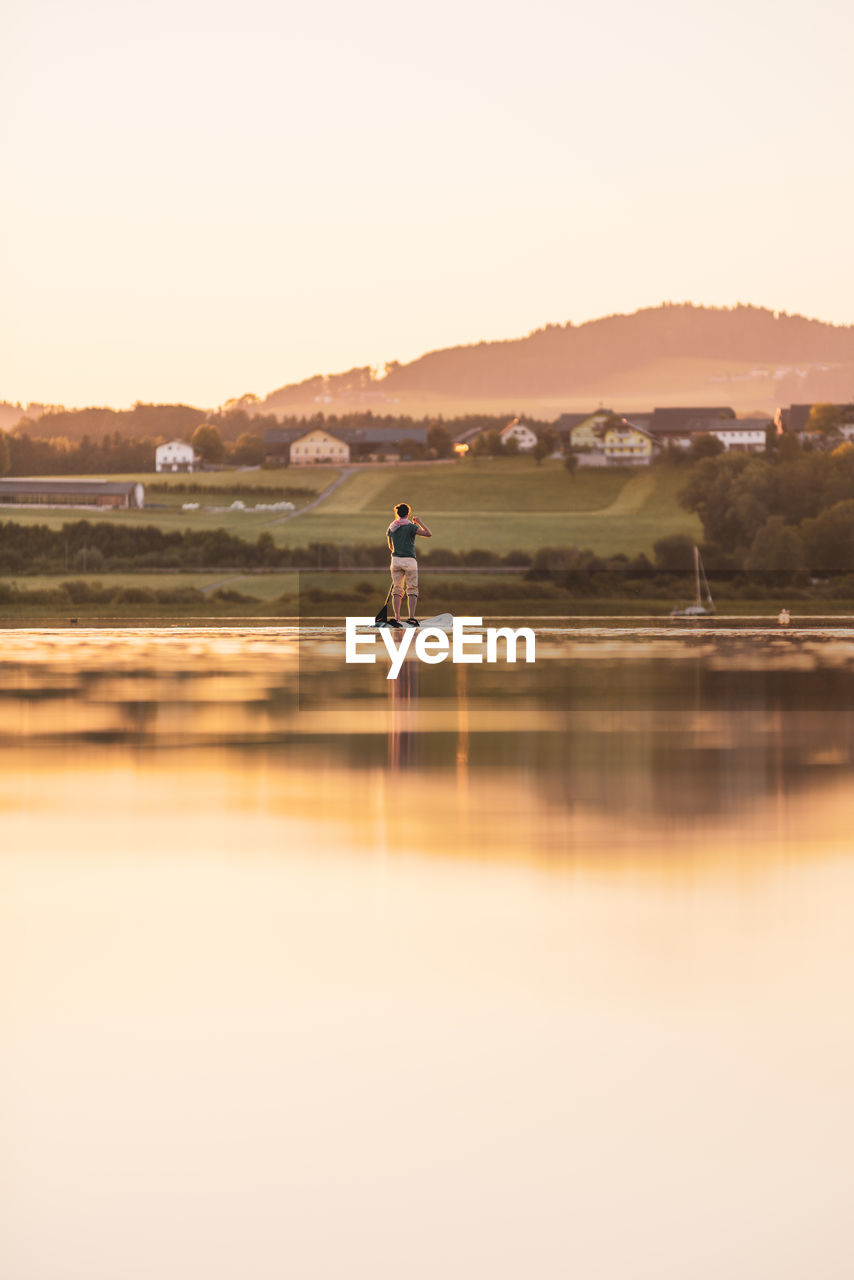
[(501, 505)]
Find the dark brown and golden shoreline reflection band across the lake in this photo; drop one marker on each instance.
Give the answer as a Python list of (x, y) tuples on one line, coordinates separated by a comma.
[(700, 734)]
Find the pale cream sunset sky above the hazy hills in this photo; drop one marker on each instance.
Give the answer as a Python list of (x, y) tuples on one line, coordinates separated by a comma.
[(205, 199)]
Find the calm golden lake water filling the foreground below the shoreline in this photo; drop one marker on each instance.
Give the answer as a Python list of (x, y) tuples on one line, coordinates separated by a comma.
[(490, 972)]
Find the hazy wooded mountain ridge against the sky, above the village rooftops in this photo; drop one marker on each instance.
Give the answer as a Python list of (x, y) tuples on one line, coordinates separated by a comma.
[(587, 360)]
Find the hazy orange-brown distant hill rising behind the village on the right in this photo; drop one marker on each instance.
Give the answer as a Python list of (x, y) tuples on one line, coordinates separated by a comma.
[(750, 356)]
